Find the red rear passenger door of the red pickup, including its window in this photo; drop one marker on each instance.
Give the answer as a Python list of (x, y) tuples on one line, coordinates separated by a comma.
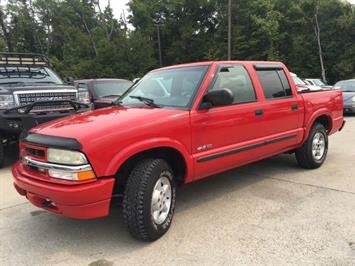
[(281, 108)]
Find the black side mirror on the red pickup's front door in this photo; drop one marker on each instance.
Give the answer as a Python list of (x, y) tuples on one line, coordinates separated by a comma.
[(217, 98)]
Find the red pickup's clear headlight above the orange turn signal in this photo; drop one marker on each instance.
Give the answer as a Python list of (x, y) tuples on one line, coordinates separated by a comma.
[(66, 157)]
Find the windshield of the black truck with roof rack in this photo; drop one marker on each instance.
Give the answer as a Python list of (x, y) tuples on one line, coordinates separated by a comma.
[(10, 76)]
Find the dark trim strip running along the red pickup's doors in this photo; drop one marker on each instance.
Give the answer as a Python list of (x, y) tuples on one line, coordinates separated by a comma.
[(244, 148)]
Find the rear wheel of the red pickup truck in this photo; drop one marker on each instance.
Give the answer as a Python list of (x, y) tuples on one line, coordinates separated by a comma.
[(314, 151)]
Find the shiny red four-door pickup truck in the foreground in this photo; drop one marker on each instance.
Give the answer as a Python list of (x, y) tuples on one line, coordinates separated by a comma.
[(176, 125)]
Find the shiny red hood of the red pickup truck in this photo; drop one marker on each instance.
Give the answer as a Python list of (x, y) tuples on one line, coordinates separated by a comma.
[(87, 127)]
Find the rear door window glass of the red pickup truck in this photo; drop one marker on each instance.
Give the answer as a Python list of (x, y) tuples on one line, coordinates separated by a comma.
[(275, 83)]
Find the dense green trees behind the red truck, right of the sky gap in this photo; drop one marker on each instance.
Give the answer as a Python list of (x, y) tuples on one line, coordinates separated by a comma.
[(262, 30)]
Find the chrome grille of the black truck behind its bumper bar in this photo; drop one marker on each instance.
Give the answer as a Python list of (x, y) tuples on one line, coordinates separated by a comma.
[(25, 98)]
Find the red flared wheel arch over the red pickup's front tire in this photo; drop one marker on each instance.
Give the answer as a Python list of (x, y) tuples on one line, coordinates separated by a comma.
[(138, 147)]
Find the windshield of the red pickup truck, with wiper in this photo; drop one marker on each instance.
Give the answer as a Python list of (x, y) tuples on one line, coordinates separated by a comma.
[(166, 88)]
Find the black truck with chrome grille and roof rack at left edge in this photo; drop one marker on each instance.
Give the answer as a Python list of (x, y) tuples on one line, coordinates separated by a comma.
[(31, 93)]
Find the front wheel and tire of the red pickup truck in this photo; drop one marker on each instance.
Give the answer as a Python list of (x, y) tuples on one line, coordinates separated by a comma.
[(149, 199)]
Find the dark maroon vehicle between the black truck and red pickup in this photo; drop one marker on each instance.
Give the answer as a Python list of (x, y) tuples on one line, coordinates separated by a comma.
[(104, 91)]
